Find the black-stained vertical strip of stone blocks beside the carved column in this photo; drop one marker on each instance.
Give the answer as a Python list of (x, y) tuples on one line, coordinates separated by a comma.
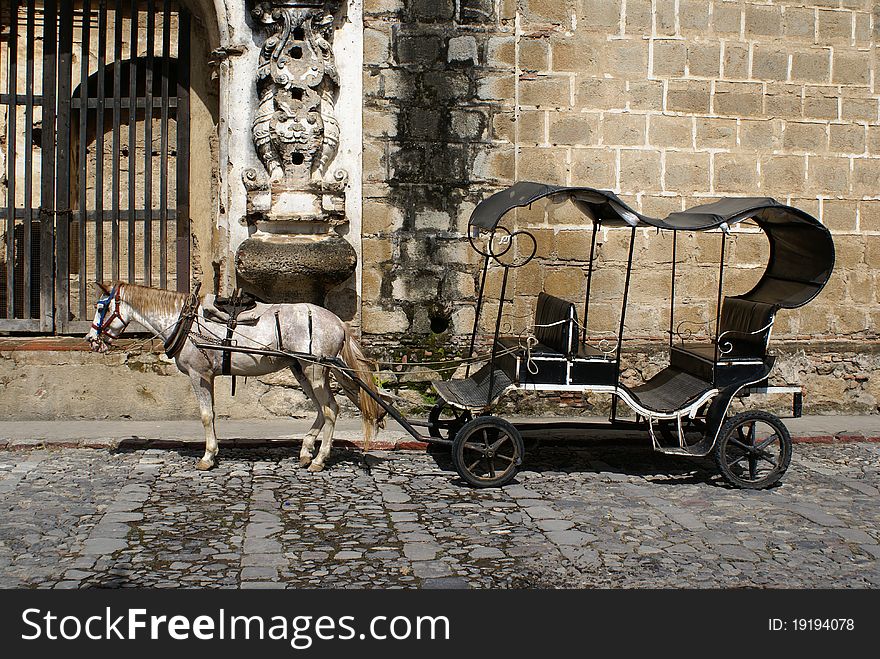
[(440, 122)]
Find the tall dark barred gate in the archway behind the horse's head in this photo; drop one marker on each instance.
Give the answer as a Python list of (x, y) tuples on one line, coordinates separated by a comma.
[(94, 148)]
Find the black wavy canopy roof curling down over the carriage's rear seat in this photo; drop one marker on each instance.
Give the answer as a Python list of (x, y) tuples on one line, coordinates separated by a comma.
[(801, 248)]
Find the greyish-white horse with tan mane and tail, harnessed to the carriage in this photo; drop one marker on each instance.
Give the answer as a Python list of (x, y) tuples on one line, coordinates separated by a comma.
[(304, 329)]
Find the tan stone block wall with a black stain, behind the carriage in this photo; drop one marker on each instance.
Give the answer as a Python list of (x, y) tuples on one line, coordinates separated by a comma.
[(670, 103)]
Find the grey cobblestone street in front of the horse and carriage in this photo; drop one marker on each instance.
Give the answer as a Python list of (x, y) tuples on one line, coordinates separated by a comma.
[(578, 515)]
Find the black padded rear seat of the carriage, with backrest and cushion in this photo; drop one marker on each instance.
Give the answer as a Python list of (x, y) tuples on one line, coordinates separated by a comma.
[(742, 337)]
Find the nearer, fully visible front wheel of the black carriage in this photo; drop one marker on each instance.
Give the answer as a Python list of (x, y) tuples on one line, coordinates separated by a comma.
[(487, 452)]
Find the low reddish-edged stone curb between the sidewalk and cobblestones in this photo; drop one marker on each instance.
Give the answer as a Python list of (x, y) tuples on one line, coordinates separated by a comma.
[(139, 443)]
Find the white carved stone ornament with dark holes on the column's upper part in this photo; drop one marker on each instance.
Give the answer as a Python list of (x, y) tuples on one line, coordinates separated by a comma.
[(295, 129)]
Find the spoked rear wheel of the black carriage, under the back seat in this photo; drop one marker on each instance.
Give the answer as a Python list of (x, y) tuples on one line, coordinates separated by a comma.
[(753, 450)]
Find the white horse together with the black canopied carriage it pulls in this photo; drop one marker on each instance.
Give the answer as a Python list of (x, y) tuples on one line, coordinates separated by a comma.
[(684, 407)]
